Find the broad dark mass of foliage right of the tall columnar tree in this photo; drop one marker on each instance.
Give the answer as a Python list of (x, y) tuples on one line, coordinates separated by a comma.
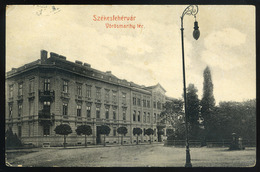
[(233, 117)]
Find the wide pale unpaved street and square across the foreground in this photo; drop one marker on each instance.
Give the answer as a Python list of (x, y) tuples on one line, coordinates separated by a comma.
[(155, 155)]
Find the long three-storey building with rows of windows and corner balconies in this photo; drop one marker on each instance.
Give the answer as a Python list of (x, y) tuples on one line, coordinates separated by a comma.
[(53, 91)]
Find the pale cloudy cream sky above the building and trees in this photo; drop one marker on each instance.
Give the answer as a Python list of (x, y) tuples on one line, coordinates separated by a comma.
[(146, 55)]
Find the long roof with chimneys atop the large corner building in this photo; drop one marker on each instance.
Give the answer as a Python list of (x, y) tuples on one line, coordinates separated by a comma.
[(59, 61)]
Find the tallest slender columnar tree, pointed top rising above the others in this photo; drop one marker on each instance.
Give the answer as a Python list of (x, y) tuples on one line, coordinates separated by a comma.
[(207, 101)]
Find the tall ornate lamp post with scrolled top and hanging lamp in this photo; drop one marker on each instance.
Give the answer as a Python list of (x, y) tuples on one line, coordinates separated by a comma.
[(190, 10)]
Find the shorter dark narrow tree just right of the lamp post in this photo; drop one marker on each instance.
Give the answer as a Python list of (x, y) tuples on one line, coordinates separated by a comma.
[(193, 110)]
